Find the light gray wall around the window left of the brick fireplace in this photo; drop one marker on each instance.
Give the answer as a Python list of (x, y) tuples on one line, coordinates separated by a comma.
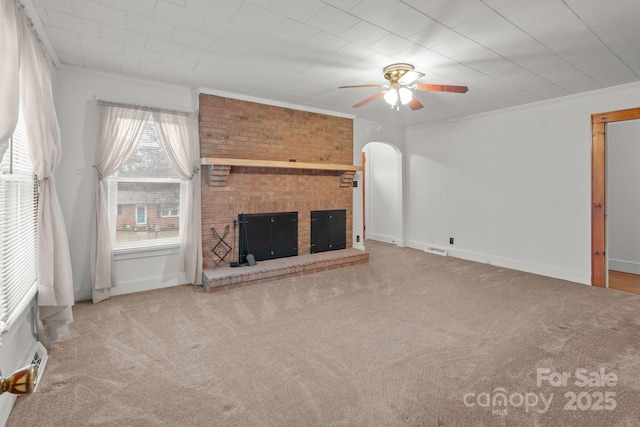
[(77, 91)]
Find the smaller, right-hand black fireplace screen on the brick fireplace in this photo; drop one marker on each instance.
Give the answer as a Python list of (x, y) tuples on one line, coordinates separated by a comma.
[(328, 230)]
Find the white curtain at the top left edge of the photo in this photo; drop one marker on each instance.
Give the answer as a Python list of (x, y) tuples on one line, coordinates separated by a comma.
[(9, 70)]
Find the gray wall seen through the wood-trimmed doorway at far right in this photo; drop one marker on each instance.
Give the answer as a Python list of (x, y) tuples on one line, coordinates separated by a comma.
[(623, 196)]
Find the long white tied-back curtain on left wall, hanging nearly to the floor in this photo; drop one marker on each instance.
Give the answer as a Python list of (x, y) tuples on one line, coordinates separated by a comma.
[(55, 279)]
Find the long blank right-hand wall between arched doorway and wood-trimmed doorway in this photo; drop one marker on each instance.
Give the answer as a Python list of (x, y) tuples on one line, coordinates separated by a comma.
[(512, 186)]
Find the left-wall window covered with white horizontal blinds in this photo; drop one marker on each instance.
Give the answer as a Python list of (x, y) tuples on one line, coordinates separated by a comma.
[(18, 227)]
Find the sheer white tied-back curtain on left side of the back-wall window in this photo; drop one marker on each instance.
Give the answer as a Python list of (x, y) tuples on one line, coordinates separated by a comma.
[(119, 129)]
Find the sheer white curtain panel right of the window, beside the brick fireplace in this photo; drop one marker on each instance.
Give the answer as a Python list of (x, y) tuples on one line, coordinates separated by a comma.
[(178, 134)]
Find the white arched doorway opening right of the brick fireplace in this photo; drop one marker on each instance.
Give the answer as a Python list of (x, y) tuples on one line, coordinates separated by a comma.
[(383, 193)]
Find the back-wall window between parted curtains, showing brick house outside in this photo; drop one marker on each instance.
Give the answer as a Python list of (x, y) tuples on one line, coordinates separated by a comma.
[(145, 197)]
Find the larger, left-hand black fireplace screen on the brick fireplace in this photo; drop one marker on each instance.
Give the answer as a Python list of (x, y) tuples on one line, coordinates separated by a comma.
[(268, 235)]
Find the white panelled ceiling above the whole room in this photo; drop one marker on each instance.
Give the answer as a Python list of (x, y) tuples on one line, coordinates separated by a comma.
[(508, 52)]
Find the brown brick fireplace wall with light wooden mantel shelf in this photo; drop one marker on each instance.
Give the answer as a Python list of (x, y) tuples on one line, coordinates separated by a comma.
[(260, 158)]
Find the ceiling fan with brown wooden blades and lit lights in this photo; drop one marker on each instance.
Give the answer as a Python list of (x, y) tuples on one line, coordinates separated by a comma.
[(402, 80)]
